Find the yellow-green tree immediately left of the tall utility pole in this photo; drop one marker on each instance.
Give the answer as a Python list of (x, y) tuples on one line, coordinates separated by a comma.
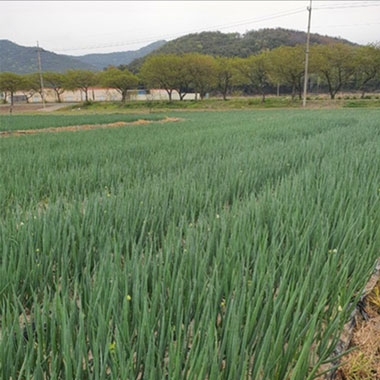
[(287, 66)]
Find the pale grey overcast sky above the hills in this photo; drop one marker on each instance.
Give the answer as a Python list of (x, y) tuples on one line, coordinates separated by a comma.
[(83, 27)]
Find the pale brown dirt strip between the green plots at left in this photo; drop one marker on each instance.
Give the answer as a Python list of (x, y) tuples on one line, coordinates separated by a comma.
[(74, 128)]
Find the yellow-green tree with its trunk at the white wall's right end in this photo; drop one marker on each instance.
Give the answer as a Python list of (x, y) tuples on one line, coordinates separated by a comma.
[(201, 71)]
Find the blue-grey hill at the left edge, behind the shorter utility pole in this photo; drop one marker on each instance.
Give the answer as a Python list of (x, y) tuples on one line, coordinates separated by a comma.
[(22, 60)]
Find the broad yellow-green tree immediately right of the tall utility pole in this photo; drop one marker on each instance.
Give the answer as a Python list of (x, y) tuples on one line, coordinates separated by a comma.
[(335, 63)]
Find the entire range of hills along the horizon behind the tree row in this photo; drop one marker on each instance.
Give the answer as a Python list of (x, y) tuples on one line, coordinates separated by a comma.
[(21, 59)]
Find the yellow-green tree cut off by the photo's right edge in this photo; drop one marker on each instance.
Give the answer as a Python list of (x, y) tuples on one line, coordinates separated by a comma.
[(367, 66)]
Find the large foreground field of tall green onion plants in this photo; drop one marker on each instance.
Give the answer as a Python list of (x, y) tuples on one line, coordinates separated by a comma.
[(230, 245)]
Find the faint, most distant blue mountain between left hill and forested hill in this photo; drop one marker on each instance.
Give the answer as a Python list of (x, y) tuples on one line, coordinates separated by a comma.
[(100, 61)]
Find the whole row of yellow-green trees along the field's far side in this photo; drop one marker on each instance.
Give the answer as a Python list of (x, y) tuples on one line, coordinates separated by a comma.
[(332, 68)]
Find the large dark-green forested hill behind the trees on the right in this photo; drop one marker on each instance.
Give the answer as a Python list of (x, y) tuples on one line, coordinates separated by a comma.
[(237, 45)]
